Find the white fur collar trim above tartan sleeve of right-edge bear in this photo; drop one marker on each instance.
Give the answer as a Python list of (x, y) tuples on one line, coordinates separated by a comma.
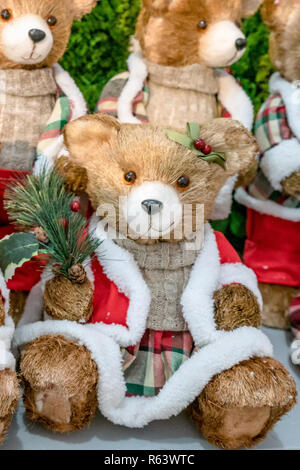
[(291, 98)]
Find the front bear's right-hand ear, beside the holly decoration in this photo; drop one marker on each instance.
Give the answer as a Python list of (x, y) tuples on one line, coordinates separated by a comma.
[(232, 138)]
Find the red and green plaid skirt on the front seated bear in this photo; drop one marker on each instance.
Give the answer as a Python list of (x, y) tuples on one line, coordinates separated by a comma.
[(148, 365)]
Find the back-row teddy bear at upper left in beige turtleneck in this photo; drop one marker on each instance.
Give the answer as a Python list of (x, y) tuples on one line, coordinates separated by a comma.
[(37, 98)]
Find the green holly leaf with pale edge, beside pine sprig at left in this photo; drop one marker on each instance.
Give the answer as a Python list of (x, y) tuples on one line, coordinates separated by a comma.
[(15, 250)]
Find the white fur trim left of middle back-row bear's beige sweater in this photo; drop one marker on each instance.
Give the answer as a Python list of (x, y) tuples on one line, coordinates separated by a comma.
[(138, 74)]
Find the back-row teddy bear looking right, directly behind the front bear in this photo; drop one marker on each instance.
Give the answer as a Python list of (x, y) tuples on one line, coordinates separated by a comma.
[(174, 75)]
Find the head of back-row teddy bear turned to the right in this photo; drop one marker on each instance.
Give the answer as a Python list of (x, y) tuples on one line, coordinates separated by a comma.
[(185, 32)]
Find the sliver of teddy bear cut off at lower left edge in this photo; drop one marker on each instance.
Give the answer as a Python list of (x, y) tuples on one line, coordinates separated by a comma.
[(9, 387)]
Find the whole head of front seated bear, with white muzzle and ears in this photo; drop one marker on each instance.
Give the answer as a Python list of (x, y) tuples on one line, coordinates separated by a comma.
[(153, 184)]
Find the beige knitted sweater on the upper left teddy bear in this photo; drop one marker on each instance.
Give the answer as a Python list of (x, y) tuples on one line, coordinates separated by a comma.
[(27, 99)]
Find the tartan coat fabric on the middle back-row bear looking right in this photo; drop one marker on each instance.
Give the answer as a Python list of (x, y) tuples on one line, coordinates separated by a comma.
[(108, 102)]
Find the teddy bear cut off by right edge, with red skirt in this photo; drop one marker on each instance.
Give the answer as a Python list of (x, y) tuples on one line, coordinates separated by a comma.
[(273, 199)]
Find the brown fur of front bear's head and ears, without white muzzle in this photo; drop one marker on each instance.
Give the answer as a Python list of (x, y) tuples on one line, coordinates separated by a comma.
[(115, 149)]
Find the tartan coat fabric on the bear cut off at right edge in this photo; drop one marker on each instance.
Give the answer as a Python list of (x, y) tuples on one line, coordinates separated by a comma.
[(271, 129)]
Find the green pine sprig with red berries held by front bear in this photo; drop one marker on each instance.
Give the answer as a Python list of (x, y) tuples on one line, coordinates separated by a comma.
[(43, 202)]
